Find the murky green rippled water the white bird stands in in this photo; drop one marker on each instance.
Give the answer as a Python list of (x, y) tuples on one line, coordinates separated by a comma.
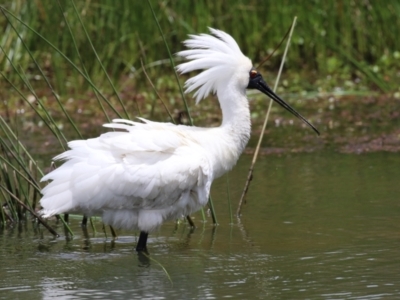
[(316, 226)]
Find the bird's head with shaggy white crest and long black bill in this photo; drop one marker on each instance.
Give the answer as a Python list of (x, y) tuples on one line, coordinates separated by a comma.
[(225, 67)]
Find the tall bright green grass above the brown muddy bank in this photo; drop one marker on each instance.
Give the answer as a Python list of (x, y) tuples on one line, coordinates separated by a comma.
[(330, 35)]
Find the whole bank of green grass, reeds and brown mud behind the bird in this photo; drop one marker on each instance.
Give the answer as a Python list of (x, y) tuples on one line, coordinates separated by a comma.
[(68, 67)]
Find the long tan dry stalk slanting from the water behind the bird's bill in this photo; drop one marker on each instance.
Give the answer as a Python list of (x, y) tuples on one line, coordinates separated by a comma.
[(250, 174)]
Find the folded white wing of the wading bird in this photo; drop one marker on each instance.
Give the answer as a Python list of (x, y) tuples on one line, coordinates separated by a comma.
[(149, 165)]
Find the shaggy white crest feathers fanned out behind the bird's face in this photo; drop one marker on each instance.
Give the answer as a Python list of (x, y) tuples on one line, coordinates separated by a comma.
[(220, 57)]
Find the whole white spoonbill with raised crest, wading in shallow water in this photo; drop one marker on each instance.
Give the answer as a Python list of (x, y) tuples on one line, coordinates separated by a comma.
[(150, 172)]
